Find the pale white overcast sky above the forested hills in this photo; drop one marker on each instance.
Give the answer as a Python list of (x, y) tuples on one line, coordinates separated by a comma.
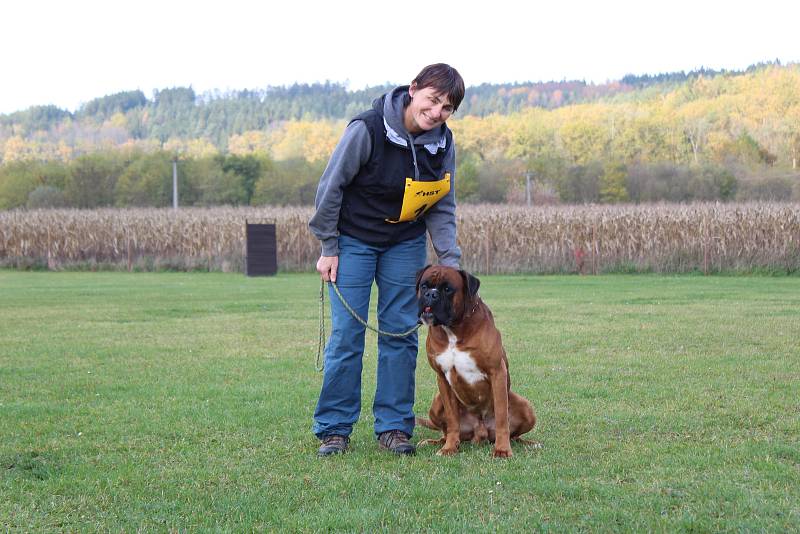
[(68, 52)]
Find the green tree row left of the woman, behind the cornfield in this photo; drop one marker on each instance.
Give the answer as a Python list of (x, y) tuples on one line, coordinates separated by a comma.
[(114, 178)]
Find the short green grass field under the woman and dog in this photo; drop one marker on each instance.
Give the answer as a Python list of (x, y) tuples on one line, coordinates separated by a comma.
[(178, 401)]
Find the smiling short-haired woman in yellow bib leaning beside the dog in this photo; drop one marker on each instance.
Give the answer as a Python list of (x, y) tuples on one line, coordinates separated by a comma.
[(389, 179)]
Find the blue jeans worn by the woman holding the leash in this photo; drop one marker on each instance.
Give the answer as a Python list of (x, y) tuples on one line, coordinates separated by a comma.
[(394, 268)]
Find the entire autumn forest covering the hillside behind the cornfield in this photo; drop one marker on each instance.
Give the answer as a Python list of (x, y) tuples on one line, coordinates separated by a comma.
[(703, 136)]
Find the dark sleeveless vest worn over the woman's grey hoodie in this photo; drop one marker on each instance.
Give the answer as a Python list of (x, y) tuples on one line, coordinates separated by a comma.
[(376, 192)]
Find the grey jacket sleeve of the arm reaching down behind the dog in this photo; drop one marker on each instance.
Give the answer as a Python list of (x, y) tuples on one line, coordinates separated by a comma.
[(441, 219)]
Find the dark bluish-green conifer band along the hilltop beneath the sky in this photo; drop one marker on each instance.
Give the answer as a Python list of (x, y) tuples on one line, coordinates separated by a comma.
[(216, 115)]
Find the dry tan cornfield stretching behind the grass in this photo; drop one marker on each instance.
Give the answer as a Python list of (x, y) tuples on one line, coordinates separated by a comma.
[(493, 238)]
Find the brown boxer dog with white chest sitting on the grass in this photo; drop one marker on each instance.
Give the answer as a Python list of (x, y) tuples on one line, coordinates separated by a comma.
[(475, 401)]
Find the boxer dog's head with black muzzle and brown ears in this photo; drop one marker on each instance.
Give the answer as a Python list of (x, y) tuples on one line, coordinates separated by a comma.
[(445, 295)]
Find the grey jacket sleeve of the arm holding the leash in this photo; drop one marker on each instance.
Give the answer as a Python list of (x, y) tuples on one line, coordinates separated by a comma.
[(351, 153)]
